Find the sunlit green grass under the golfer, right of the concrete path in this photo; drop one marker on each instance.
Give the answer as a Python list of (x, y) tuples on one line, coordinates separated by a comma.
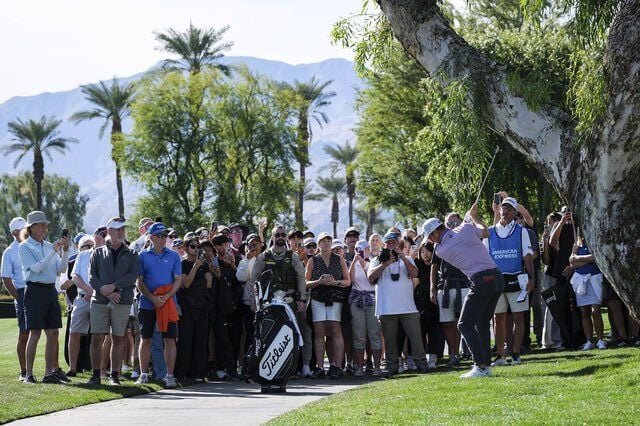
[(592, 387)]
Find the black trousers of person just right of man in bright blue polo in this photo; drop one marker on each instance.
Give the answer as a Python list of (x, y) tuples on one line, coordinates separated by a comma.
[(193, 333)]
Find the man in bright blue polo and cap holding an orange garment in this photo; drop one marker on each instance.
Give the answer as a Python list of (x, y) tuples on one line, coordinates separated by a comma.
[(159, 280)]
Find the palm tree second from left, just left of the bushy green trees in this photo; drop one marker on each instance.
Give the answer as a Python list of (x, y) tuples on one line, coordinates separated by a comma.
[(111, 103)]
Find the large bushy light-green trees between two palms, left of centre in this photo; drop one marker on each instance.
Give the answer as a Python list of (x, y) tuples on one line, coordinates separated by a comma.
[(206, 146)]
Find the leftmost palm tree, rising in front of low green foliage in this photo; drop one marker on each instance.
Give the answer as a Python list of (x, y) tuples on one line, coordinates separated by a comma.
[(41, 137)]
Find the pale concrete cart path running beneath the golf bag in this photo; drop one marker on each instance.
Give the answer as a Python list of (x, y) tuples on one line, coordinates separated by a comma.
[(208, 403)]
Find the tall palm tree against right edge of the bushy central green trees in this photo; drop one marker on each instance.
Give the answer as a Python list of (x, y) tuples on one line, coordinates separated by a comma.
[(312, 98)]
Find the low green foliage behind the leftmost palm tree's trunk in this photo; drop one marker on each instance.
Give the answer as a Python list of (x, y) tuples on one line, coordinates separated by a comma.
[(63, 204)]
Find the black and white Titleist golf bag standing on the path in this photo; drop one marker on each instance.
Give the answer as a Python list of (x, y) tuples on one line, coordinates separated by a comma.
[(273, 356)]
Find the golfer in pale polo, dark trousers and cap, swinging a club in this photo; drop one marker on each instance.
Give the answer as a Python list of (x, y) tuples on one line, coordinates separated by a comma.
[(462, 247)]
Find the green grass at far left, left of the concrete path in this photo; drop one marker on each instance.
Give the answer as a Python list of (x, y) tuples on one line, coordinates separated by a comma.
[(19, 400)]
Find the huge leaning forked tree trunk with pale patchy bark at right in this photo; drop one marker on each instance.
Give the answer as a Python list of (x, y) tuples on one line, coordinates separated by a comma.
[(598, 179)]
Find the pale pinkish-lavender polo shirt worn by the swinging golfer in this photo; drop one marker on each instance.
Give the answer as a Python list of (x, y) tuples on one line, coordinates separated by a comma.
[(463, 248)]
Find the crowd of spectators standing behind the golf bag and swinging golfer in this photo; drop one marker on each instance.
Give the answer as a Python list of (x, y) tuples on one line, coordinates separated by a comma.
[(171, 307)]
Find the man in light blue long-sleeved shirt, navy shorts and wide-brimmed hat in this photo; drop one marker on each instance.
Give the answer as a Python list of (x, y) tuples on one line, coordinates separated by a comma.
[(42, 262)]
